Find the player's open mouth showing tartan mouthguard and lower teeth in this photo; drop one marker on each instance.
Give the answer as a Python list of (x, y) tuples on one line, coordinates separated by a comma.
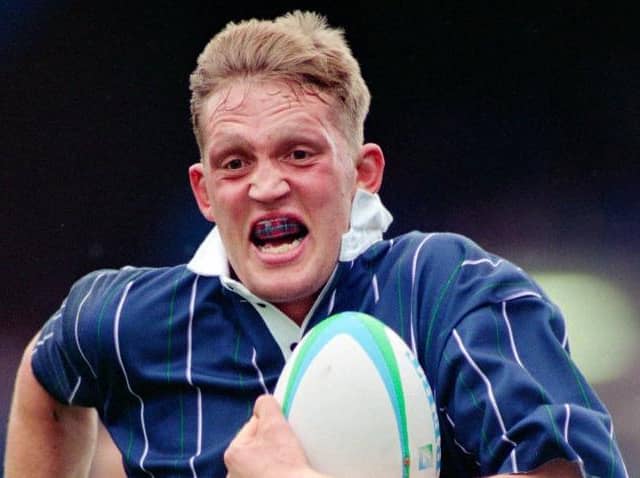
[(278, 234)]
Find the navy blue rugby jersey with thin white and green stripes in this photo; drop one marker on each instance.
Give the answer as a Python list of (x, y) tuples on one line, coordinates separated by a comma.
[(173, 359)]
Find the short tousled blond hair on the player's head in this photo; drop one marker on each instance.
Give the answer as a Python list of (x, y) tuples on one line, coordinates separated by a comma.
[(298, 47)]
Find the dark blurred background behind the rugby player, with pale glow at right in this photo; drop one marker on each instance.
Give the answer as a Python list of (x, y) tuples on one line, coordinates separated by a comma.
[(518, 127)]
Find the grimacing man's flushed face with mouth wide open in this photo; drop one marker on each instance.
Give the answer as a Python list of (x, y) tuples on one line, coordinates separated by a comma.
[(278, 179)]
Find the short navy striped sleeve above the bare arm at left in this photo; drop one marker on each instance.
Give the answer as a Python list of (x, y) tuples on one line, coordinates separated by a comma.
[(60, 359)]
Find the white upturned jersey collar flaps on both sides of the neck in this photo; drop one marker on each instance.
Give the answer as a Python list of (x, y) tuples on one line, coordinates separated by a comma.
[(369, 220)]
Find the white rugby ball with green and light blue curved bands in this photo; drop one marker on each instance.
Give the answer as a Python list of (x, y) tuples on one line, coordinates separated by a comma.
[(359, 402)]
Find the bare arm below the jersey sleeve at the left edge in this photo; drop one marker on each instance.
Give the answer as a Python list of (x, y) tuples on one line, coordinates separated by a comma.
[(46, 438)]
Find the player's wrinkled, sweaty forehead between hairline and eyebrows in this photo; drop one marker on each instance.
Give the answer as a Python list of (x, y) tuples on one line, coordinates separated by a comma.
[(264, 105)]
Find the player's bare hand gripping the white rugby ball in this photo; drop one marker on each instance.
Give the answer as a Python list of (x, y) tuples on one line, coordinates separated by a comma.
[(266, 447)]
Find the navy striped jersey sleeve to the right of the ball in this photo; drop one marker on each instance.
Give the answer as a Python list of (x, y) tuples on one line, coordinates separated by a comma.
[(511, 399)]
